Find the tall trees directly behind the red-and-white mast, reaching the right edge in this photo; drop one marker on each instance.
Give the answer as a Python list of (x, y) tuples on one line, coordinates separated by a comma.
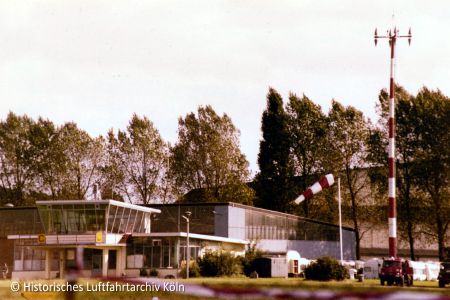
[(422, 160)]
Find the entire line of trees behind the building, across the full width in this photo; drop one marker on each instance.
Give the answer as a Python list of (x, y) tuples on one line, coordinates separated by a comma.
[(40, 160)]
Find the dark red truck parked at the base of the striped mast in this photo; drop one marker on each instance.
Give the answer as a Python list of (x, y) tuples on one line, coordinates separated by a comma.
[(396, 271)]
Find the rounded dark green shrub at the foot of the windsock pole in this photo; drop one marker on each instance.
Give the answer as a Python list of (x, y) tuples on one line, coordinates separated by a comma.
[(324, 269)]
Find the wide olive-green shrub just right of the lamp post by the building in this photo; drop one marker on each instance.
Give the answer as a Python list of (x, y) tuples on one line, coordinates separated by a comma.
[(214, 264)]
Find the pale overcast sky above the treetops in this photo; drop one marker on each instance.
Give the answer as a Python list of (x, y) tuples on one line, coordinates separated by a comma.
[(97, 62)]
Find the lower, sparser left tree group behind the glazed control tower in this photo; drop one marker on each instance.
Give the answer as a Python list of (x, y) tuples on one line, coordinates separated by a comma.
[(39, 160)]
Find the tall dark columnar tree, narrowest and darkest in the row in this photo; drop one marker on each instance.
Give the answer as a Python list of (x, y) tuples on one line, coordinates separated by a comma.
[(273, 189)]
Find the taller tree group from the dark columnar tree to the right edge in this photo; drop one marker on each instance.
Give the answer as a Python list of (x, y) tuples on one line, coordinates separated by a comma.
[(300, 143)]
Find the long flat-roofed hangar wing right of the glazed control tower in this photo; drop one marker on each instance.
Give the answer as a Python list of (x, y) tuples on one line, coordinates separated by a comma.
[(273, 232)]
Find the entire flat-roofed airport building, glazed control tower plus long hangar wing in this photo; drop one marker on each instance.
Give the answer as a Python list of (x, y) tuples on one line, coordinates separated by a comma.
[(112, 238)]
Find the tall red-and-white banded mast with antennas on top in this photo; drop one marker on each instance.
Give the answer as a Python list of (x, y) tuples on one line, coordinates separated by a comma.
[(392, 35)]
